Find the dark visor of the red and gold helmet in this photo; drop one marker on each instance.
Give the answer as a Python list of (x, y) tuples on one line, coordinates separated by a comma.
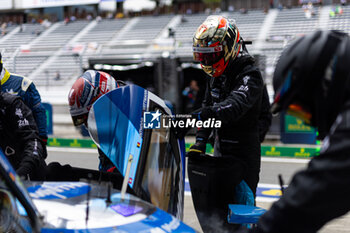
[(208, 55)]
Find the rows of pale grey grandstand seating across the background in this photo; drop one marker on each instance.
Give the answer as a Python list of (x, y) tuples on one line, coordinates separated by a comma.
[(39, 52)]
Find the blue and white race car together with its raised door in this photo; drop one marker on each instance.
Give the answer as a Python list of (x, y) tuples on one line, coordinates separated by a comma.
[(156, 174)]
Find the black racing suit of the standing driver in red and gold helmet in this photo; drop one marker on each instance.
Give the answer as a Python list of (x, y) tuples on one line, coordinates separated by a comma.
[(236, 99)]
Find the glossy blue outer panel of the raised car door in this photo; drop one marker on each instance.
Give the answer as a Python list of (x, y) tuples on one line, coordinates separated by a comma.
[(122, 116)]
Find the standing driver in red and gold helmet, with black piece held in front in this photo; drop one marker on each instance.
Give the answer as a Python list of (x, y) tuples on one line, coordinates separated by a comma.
[(234, 96)]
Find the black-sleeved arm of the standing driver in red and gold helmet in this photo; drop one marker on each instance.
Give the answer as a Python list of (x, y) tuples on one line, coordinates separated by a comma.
[(243, 96)]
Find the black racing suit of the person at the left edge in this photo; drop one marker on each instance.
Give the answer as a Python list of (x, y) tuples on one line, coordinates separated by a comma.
[(19, 138)]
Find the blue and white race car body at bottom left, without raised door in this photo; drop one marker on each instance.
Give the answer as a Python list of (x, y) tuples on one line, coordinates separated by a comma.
[(75, 207)]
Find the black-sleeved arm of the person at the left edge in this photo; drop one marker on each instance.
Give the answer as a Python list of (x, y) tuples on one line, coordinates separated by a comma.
[(25, 130)]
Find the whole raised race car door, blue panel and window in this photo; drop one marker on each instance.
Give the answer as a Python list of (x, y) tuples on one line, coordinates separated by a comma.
[(157, 171)]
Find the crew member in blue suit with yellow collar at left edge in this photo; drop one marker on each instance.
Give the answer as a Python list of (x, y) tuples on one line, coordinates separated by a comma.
[(25, 88)]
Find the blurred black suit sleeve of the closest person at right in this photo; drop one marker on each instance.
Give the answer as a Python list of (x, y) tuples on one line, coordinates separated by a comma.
[(319, 193)]
